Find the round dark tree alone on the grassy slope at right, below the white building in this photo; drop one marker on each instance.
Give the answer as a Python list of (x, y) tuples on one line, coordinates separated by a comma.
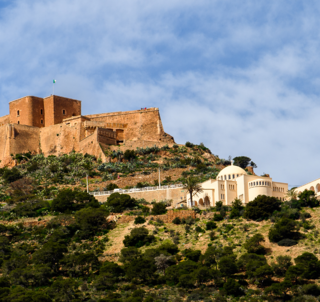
[(285, 228)]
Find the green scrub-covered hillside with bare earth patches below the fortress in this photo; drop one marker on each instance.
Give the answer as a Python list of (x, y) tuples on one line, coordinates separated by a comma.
[(58, 243)]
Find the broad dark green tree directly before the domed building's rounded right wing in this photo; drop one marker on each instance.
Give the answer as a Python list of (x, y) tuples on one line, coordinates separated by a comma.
[(261, 207)]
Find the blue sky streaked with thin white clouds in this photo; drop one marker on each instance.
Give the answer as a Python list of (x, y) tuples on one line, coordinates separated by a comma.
[(242, 77)]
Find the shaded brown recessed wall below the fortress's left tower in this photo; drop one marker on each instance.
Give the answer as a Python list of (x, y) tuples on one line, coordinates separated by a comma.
[(25, 139)]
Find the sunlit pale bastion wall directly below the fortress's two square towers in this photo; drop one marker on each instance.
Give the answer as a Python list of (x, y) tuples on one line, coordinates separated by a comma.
[(58, 139)]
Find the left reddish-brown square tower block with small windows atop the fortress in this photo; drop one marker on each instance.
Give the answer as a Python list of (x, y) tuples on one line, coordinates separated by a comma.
[(28, 108)]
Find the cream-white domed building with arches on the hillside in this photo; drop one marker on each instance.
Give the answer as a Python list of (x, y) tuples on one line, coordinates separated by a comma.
[(233, 182)]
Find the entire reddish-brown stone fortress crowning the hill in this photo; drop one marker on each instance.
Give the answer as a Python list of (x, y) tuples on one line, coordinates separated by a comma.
[(54, 125)]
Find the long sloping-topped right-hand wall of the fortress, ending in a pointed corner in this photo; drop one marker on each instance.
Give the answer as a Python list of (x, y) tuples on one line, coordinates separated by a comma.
[(142, 124)]
